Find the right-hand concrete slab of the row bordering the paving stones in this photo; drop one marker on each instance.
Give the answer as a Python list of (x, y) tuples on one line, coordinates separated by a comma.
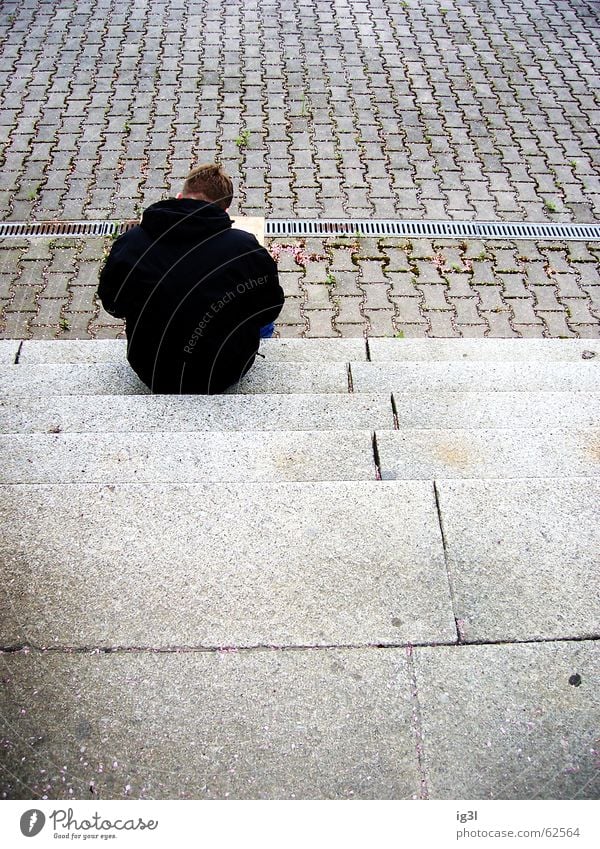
[(504, 350)]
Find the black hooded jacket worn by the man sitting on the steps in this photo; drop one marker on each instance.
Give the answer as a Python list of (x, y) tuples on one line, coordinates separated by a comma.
[(194, 294)]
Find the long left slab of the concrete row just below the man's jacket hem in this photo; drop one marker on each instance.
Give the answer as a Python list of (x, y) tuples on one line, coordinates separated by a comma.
[(168, 413)]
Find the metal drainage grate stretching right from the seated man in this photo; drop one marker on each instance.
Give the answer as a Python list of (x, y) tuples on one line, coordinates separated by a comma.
[(443, 229)]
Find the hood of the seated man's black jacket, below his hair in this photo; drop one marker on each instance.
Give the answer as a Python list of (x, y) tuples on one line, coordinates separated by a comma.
[(184, 217)]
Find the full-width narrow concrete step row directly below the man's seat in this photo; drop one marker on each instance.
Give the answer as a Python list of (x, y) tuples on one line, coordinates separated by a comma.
[(194, 413)]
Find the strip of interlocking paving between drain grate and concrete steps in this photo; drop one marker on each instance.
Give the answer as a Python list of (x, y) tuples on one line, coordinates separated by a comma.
[(377, 287)]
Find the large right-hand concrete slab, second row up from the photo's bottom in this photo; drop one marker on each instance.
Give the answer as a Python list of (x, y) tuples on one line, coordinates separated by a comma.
[(523, 557)]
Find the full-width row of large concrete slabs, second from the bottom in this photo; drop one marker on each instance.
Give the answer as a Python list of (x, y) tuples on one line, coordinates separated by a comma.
[(335, 563)]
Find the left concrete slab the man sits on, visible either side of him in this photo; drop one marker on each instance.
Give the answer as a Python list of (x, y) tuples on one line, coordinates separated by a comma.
[(119, 379)]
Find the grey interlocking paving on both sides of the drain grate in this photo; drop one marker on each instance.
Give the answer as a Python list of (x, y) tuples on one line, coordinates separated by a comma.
[(470, 110)]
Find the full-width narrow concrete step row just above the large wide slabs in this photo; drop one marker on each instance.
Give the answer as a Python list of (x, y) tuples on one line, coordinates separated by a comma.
[(253, 455)]
